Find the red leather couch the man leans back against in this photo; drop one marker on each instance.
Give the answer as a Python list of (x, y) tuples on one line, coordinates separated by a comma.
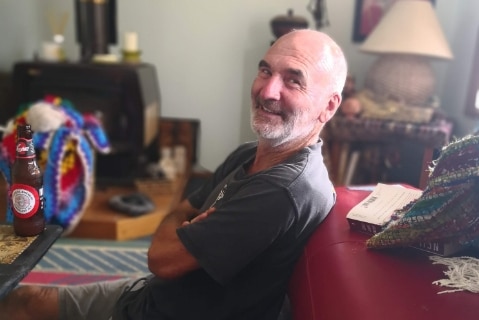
[(337, 277)]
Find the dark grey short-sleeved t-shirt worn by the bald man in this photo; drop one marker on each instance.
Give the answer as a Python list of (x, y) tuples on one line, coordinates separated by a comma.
[(248, 247)]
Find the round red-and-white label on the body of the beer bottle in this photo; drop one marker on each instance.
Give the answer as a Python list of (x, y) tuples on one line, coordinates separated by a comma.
[(25, 200)]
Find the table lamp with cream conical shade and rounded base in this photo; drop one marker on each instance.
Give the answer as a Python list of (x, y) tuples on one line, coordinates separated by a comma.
[(406, 38)]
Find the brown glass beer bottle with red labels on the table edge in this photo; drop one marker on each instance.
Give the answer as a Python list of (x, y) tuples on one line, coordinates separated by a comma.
[(26, 191)]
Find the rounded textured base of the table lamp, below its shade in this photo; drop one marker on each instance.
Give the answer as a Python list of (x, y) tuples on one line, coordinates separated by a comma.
[(408, 79)]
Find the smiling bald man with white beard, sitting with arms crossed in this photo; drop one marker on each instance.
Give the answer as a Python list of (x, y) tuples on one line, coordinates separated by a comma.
[(228, 250)]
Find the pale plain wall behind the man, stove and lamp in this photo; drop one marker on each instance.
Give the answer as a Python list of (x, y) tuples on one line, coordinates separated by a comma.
[(206, 53)]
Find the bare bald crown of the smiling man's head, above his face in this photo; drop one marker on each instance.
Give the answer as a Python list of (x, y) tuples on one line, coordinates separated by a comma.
[(320, 50)]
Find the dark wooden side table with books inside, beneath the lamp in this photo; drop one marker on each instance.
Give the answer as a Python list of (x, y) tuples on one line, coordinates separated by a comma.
[(367, 151)]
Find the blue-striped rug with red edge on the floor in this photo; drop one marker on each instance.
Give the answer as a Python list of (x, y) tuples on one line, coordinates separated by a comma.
[(80, 262)]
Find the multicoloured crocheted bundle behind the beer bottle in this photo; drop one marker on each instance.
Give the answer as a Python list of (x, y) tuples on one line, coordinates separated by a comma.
[(64, 140)]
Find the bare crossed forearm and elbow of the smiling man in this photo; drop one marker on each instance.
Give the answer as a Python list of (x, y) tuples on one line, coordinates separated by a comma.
[(167, 256)]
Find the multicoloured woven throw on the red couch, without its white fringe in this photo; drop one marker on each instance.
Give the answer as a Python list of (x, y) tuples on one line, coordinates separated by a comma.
[(447, 209)]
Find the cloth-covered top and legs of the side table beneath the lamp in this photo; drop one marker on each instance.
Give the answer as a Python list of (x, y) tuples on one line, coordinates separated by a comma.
[(341, 131)]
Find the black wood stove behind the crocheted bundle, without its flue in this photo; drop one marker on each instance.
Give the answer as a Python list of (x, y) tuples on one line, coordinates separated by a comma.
[(124, 96)]
